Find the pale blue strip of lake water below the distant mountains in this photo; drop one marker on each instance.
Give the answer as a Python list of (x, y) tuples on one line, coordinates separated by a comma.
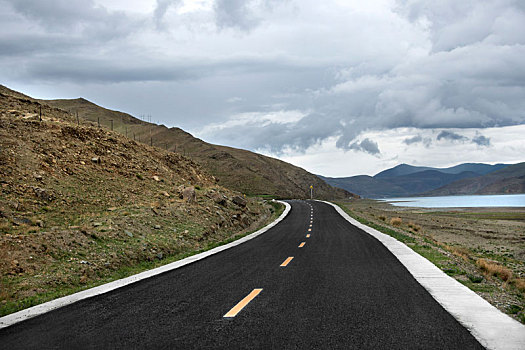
[(506, 200)]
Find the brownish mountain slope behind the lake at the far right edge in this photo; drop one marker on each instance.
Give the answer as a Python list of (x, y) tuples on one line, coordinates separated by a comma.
[(508, 180)]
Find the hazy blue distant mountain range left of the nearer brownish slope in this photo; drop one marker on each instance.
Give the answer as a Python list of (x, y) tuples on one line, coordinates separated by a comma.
[(407, 180)]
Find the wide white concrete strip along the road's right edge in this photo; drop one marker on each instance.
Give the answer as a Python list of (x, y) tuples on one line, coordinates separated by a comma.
[(492, 328)]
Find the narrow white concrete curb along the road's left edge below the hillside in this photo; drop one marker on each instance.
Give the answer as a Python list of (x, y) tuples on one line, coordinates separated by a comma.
[(88, 293)]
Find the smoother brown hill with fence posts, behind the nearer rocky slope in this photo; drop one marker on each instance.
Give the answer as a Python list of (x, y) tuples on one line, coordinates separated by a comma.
[(237, 169)]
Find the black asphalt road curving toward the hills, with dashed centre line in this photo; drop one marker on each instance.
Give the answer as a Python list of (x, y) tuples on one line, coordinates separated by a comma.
[(342, 289)]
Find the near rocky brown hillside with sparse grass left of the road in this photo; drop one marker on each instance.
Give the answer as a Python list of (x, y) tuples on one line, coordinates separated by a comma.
[(80, 204)]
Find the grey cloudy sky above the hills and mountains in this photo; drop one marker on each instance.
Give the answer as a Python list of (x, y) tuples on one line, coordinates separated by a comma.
[(338, 87)]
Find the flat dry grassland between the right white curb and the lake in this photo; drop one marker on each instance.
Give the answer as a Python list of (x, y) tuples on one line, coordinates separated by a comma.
[(484, 250)]
